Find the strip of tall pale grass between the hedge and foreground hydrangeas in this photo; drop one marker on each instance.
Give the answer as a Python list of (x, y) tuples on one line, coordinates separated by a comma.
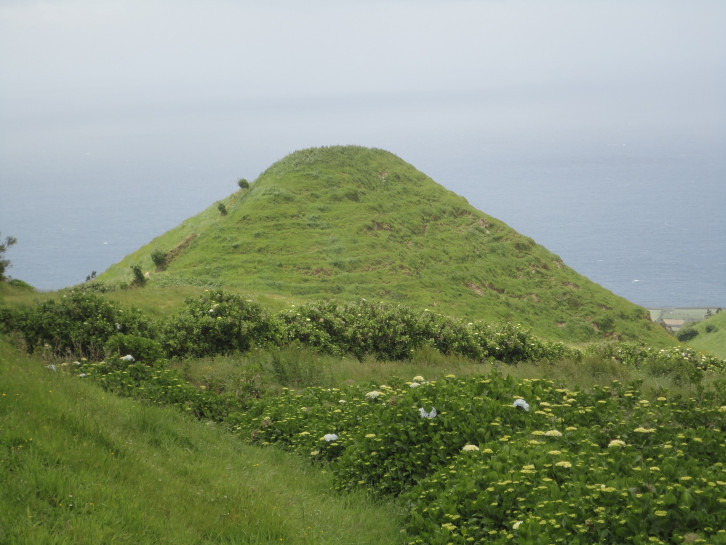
[(265, 372)]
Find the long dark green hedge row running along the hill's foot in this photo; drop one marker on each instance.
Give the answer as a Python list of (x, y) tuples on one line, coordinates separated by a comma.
[(83, 323)]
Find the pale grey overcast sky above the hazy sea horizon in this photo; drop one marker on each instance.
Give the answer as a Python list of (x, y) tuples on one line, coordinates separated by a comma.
[(93, 60)]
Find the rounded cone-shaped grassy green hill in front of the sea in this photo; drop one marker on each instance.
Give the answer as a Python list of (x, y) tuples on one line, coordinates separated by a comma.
[(353, 222)]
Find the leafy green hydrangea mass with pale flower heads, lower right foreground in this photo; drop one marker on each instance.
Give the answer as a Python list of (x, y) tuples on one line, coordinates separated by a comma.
[(600, 466)]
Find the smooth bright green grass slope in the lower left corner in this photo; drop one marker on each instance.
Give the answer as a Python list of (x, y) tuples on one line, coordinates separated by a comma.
[(79, 465)]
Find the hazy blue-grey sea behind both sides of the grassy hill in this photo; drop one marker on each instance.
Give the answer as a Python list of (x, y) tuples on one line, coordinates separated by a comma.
[(648, 225)]
